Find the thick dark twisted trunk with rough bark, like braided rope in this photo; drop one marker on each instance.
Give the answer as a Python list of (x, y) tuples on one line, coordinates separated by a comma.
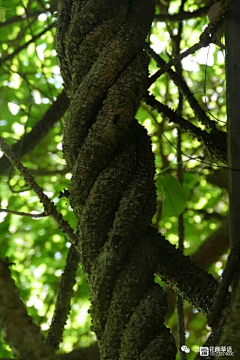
[(105, 71)]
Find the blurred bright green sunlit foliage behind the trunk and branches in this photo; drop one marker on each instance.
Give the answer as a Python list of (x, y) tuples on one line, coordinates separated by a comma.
[(30, 82)]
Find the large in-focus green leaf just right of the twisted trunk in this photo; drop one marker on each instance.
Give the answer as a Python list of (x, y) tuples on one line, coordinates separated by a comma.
[(174, 195)]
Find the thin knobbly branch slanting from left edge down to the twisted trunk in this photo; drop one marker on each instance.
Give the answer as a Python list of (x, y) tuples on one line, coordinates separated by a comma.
[(48, 205)]
